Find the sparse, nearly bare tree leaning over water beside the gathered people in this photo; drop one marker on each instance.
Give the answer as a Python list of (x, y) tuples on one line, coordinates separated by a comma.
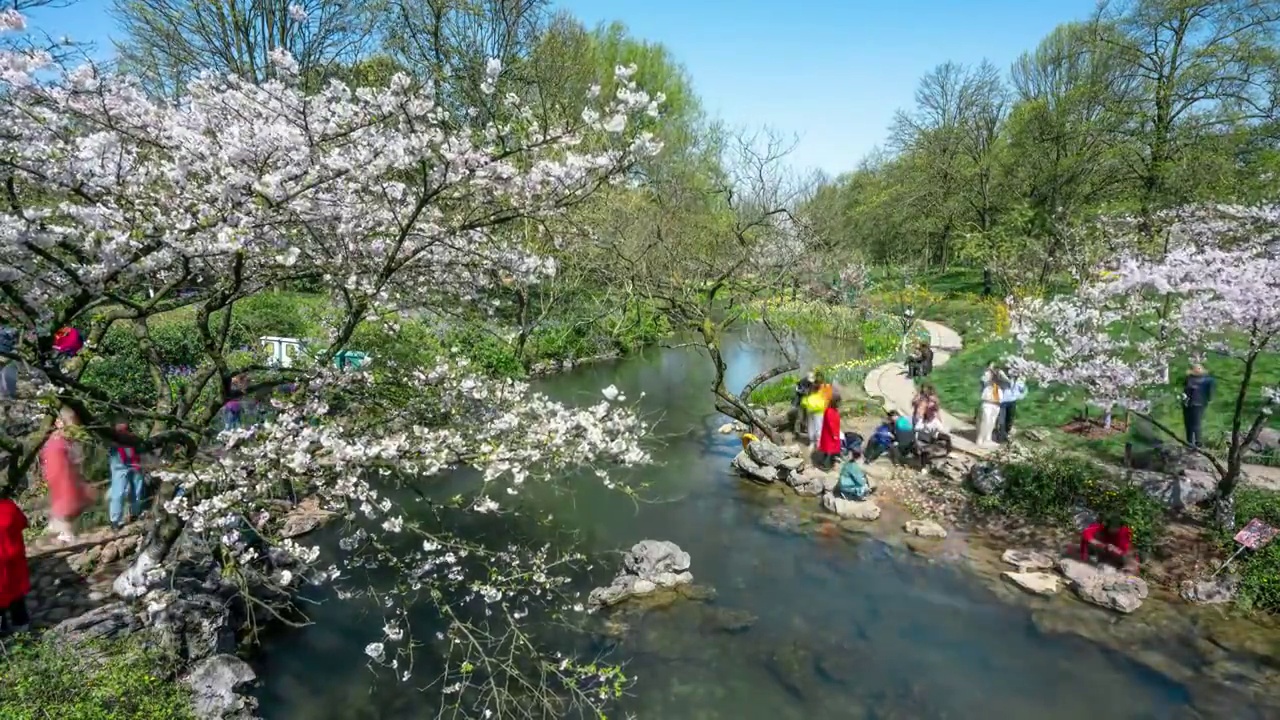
[(703, 250)]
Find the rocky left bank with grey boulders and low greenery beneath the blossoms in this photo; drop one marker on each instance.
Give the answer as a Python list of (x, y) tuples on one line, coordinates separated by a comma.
[(179, 651)]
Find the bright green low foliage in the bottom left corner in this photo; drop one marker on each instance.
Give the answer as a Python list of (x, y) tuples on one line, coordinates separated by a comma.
[(111, 681)]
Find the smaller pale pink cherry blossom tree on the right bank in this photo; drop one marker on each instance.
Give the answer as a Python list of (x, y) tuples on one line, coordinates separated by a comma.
[(1214, 293)]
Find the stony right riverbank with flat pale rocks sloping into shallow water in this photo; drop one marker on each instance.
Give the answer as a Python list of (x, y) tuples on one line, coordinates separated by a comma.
[(1228, 662)]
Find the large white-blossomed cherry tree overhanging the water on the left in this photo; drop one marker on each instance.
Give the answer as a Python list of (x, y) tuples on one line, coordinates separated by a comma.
[(118, 208)]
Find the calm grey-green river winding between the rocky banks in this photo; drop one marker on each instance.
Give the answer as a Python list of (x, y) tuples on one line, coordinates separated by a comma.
[(844, 626)]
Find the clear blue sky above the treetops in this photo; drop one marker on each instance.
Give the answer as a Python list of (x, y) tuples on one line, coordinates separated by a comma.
[(833, 72)]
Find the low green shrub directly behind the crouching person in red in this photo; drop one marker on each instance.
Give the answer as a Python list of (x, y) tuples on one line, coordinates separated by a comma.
[(1054, 486)]
